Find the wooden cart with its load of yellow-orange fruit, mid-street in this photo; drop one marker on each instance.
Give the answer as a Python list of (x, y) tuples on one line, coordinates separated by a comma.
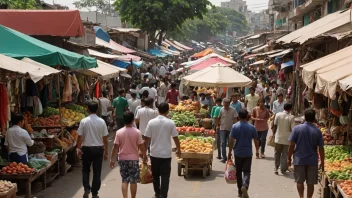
[(196, 155)]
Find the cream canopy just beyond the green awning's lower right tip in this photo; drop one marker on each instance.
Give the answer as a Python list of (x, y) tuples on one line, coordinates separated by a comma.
[(105, 70)]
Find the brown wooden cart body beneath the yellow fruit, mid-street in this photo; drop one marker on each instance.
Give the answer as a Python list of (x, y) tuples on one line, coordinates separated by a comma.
[(195, 161)]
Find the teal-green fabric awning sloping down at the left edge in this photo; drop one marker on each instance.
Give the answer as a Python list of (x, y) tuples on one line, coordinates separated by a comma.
[(18, 45)]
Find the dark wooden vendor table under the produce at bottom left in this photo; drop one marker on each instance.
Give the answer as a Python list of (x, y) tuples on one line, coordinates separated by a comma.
[(28, 179)]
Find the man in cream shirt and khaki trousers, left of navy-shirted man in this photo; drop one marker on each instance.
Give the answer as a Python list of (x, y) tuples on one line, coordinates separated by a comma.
[(283, 125)]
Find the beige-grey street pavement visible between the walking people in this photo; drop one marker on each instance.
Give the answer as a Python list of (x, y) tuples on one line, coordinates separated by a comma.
[(264, 183)]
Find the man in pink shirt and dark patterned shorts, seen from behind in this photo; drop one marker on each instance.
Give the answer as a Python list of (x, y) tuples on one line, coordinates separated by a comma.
[(129, 140)]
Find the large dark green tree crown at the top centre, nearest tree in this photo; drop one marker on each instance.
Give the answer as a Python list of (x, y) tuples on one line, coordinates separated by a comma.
[(160, 15)]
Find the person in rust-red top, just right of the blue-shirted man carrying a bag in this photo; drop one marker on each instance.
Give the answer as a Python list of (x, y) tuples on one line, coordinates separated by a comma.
[(261, 115)]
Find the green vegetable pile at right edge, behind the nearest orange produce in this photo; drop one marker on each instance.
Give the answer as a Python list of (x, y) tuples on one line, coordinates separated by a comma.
[(334, 153)]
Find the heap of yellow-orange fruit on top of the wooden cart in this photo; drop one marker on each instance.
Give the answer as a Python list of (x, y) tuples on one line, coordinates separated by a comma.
[(196, 145)]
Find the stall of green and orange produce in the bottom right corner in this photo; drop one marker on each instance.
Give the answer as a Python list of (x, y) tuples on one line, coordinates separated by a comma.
[(336, 179)]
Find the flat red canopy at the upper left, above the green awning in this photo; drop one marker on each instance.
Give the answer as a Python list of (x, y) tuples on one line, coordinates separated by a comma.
[(63, 23)]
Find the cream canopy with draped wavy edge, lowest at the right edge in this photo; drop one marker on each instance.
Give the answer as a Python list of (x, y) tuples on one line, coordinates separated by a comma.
[(328, 70)]
